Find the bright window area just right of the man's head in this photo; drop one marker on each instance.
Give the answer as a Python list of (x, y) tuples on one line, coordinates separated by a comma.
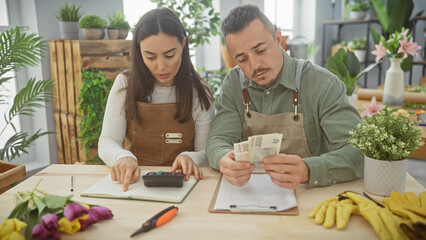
[(280, 12)]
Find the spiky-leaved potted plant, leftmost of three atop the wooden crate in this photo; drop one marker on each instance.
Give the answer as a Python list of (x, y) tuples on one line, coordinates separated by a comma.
[(68, 16)]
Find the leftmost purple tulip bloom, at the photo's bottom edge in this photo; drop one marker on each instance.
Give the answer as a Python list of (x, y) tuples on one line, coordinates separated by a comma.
[(47, 229)]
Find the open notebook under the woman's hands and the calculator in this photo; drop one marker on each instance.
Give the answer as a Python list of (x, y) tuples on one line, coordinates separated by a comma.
[(106, 188)]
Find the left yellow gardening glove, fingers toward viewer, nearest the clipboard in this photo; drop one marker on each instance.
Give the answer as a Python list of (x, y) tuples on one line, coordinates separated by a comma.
[(337, 210)]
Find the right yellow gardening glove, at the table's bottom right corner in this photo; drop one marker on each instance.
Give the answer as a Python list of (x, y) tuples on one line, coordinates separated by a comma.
[(385, 224)]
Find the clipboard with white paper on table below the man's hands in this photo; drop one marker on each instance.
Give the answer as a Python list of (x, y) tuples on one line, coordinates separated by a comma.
[(259, 195)]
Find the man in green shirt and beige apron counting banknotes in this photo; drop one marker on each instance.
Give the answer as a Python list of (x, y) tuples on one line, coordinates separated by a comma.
[(315, 120)]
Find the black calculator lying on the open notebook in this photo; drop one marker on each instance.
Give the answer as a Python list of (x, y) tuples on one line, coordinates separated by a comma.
[(163, 179)]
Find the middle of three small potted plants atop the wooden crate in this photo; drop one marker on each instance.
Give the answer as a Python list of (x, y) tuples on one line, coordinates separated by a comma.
[(93, 27)]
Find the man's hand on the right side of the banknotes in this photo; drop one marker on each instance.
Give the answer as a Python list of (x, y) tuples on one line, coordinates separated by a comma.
[(287, 171)]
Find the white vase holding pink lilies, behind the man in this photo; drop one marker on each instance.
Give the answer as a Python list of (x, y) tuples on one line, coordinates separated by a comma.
[(393, 92)]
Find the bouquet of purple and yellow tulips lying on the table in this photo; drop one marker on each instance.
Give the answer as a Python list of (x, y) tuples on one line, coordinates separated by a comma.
[(45, 216)]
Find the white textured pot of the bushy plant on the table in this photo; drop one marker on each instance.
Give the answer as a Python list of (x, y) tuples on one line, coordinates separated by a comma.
[(382, 177)]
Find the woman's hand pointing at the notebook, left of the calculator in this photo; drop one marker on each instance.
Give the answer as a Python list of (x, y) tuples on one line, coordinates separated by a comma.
[(126, 170)]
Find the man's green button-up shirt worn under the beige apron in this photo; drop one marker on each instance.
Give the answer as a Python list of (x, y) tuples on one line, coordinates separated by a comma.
[(328, 117)]
